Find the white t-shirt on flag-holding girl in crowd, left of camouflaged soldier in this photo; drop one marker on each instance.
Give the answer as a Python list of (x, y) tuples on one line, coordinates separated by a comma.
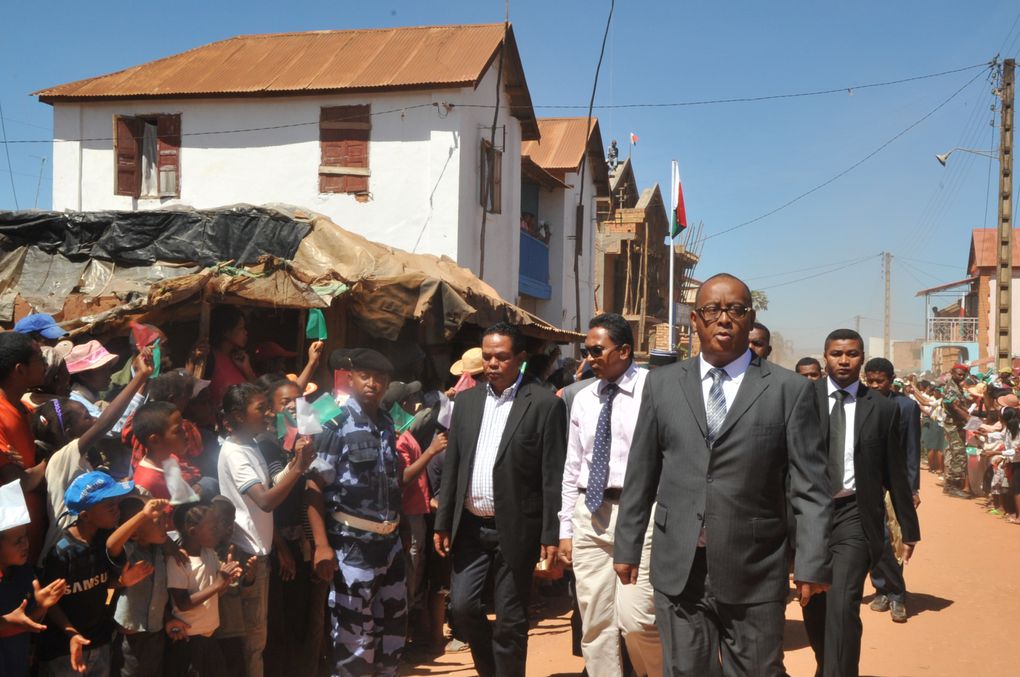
[(241, 467)]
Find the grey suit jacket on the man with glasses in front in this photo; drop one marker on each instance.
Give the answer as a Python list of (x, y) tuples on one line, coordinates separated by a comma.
[(738, 486)]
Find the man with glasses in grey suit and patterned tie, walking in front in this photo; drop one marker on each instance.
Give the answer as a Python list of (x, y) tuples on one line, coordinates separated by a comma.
[(718, 437)]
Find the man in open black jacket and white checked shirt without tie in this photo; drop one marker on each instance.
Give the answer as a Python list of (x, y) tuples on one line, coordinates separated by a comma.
[(499, 500)]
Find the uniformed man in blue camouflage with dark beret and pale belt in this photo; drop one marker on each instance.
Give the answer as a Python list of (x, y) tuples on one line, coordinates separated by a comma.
[(363, 500)]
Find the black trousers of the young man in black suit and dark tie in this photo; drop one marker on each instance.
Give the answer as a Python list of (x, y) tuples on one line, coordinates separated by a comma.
[(833, 620)]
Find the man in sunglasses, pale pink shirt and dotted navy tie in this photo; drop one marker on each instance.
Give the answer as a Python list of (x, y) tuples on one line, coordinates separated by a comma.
[(603, 419)]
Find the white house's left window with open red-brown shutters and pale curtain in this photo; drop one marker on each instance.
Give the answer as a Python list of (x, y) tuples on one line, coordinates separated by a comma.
[(147, 157)]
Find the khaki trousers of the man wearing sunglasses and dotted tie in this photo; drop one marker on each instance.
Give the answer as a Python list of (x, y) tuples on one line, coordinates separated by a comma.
[(609, 608)]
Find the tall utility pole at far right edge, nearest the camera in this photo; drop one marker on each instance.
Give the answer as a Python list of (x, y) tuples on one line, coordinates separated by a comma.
[(1004, 272)]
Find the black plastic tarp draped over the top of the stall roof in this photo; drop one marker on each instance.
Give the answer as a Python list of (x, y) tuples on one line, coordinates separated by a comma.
[(242, 235)]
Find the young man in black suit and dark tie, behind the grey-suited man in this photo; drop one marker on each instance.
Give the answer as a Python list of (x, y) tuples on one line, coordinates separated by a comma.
[(865, 460)]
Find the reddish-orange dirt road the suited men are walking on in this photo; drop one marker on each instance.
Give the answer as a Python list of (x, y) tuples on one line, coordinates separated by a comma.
[(964, 606)]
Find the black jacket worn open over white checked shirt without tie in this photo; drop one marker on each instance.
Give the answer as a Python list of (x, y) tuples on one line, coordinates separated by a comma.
[(527, 478)]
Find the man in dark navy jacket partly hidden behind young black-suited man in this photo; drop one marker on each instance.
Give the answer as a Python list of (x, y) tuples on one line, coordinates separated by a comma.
[(887, 576)]
